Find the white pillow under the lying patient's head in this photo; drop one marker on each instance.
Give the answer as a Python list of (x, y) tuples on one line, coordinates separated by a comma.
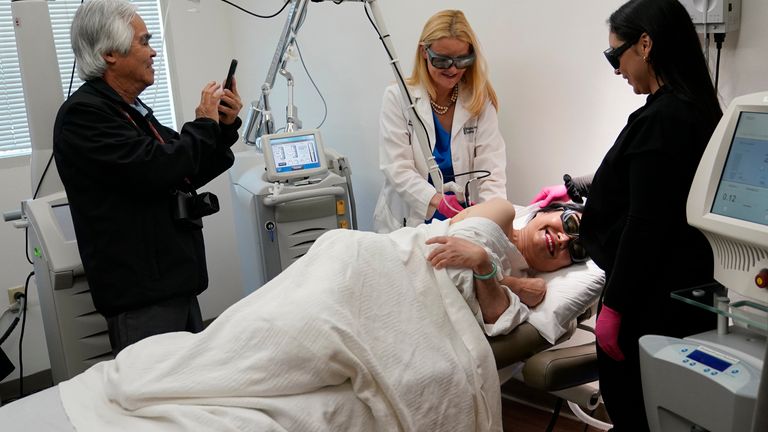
[(570, 291)]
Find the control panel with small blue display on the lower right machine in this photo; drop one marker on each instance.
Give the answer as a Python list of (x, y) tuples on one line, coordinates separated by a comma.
[(724, 369)]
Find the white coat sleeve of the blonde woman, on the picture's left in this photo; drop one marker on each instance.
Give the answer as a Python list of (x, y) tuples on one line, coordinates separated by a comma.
[(396, 157)]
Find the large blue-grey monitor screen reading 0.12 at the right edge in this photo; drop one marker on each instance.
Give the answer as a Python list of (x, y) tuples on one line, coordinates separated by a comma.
[(742, 192)]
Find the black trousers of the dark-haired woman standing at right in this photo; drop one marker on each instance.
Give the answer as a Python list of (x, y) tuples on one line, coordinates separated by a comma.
[(622, 391)]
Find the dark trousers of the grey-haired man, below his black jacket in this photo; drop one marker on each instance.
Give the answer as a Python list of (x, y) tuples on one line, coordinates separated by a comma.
[(176, 314)]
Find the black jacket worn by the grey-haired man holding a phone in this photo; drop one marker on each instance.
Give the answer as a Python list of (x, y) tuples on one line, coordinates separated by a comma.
[(119, 168)]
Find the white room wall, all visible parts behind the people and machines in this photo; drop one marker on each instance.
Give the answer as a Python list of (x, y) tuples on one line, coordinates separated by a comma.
[(561, 105)]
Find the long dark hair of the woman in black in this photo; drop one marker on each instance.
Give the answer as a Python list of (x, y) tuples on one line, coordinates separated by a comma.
[(676, 55)]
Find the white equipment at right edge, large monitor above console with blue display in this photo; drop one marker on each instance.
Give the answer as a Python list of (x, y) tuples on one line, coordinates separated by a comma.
[(712, 381)]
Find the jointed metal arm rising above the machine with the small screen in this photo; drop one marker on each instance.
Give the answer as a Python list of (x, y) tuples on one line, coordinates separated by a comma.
[(259, 120)]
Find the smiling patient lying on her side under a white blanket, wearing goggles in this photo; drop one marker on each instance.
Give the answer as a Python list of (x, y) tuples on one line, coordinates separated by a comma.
[(361, 334)]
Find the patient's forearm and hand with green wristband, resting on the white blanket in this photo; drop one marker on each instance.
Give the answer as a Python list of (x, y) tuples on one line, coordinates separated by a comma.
[(458, 252)]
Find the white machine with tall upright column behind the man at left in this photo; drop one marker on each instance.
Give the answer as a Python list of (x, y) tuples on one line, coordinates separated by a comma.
[(75, 333)]
